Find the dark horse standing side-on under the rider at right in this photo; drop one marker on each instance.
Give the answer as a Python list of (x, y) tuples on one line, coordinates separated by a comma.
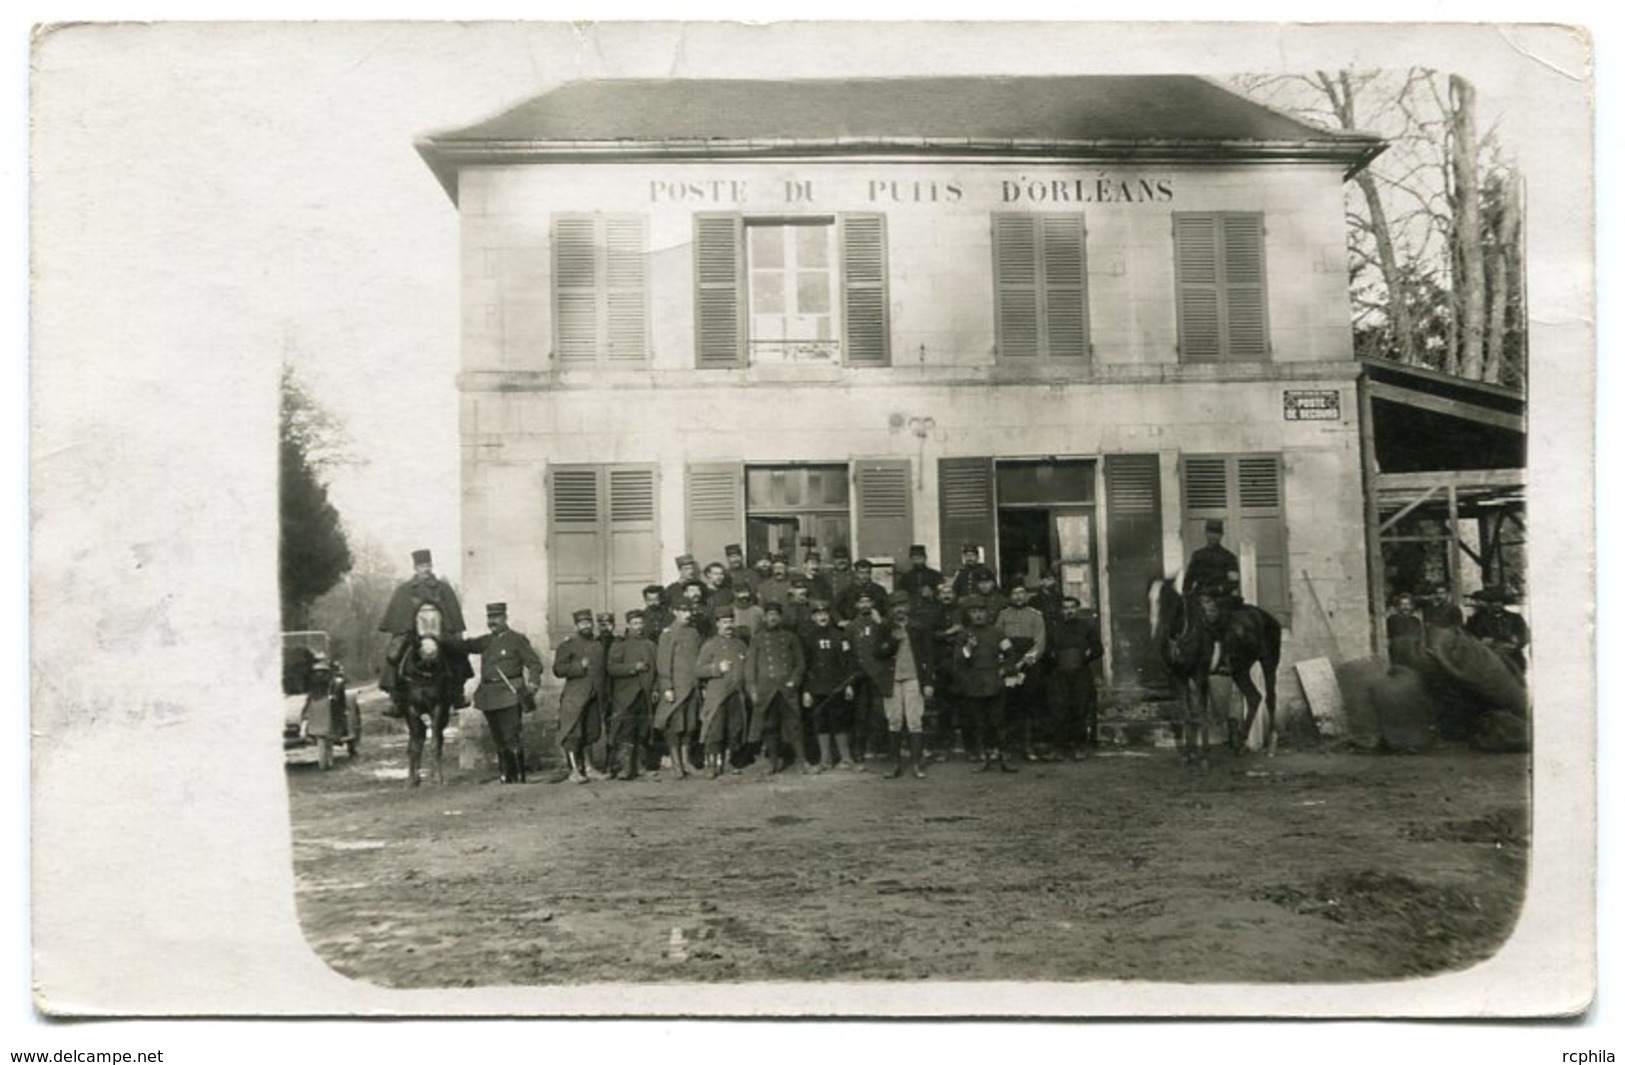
[(1198, 638)]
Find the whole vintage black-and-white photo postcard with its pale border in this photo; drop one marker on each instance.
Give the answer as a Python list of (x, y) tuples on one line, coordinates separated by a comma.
[(812, 519)]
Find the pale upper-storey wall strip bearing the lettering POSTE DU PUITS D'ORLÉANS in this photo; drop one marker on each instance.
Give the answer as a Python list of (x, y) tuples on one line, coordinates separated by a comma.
[(940, 250)]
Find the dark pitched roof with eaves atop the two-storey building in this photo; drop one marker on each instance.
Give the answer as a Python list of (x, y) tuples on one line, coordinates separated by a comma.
[(1146, 118)]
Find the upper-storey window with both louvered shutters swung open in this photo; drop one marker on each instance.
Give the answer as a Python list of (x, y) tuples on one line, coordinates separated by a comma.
[(791, 290)]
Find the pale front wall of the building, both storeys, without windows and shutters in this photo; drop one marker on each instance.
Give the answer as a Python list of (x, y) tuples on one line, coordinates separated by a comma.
[(521, 414)]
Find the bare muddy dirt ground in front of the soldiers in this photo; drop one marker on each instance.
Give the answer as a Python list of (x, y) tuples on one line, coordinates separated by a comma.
[(1314, 866)]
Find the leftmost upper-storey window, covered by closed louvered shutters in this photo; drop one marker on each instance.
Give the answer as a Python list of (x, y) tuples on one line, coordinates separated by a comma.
[(600, 290)]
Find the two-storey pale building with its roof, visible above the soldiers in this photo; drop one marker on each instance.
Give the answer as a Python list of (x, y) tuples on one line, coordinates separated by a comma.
[(1067, 319)]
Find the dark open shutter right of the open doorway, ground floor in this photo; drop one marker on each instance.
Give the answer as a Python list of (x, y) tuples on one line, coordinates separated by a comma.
[(1133, 560)]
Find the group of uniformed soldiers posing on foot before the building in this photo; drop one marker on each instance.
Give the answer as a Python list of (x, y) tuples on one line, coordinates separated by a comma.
[(817, 671)]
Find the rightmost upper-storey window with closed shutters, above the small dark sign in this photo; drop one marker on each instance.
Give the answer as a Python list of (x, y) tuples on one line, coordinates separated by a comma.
[(1220, 274)]
